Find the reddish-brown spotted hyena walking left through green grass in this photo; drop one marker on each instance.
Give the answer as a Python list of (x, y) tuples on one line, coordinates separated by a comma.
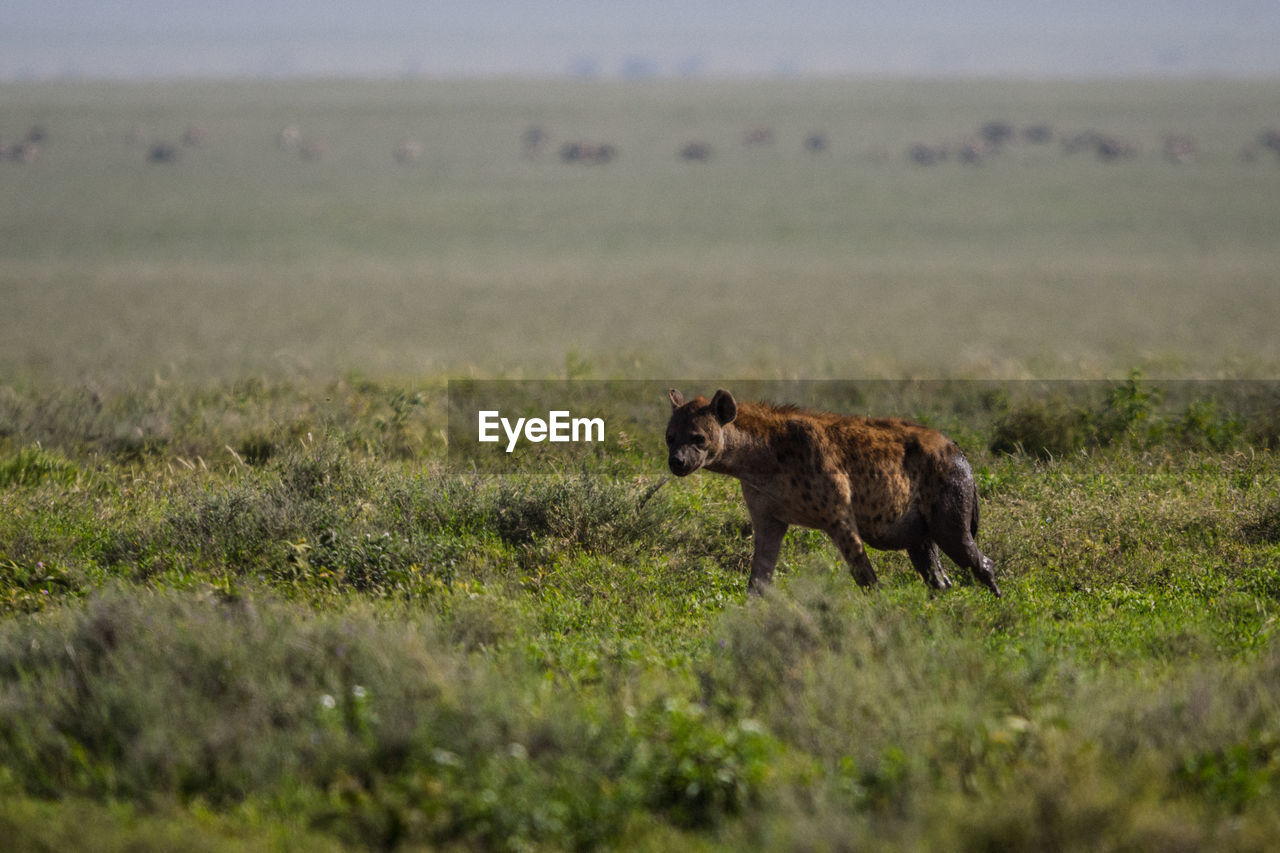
[(881, 482)]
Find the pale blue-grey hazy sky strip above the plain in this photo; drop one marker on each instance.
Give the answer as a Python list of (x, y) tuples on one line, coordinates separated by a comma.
[(637, 38)]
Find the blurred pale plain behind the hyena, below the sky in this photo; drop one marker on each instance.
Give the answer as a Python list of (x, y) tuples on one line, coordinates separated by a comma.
[(245, 261)]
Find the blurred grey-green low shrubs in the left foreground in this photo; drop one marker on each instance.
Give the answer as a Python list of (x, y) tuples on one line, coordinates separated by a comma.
[(380, 732)]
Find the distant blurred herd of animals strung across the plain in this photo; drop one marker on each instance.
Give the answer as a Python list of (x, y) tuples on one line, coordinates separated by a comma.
[(988, 142)]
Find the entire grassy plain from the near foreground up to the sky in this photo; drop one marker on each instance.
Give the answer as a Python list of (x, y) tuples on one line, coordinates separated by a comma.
[(252, 599)]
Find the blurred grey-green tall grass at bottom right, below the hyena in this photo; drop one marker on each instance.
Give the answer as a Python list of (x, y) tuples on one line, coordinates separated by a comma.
[(929, 732)]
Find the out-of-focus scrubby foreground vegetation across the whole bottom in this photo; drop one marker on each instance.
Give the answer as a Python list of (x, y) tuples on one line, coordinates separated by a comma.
[(820, 718)]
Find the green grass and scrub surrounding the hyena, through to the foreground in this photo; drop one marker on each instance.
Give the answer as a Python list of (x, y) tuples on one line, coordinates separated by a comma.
[(336, 645)]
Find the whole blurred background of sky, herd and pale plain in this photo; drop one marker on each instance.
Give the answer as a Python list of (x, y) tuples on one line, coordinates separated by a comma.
[(501, 189)]
